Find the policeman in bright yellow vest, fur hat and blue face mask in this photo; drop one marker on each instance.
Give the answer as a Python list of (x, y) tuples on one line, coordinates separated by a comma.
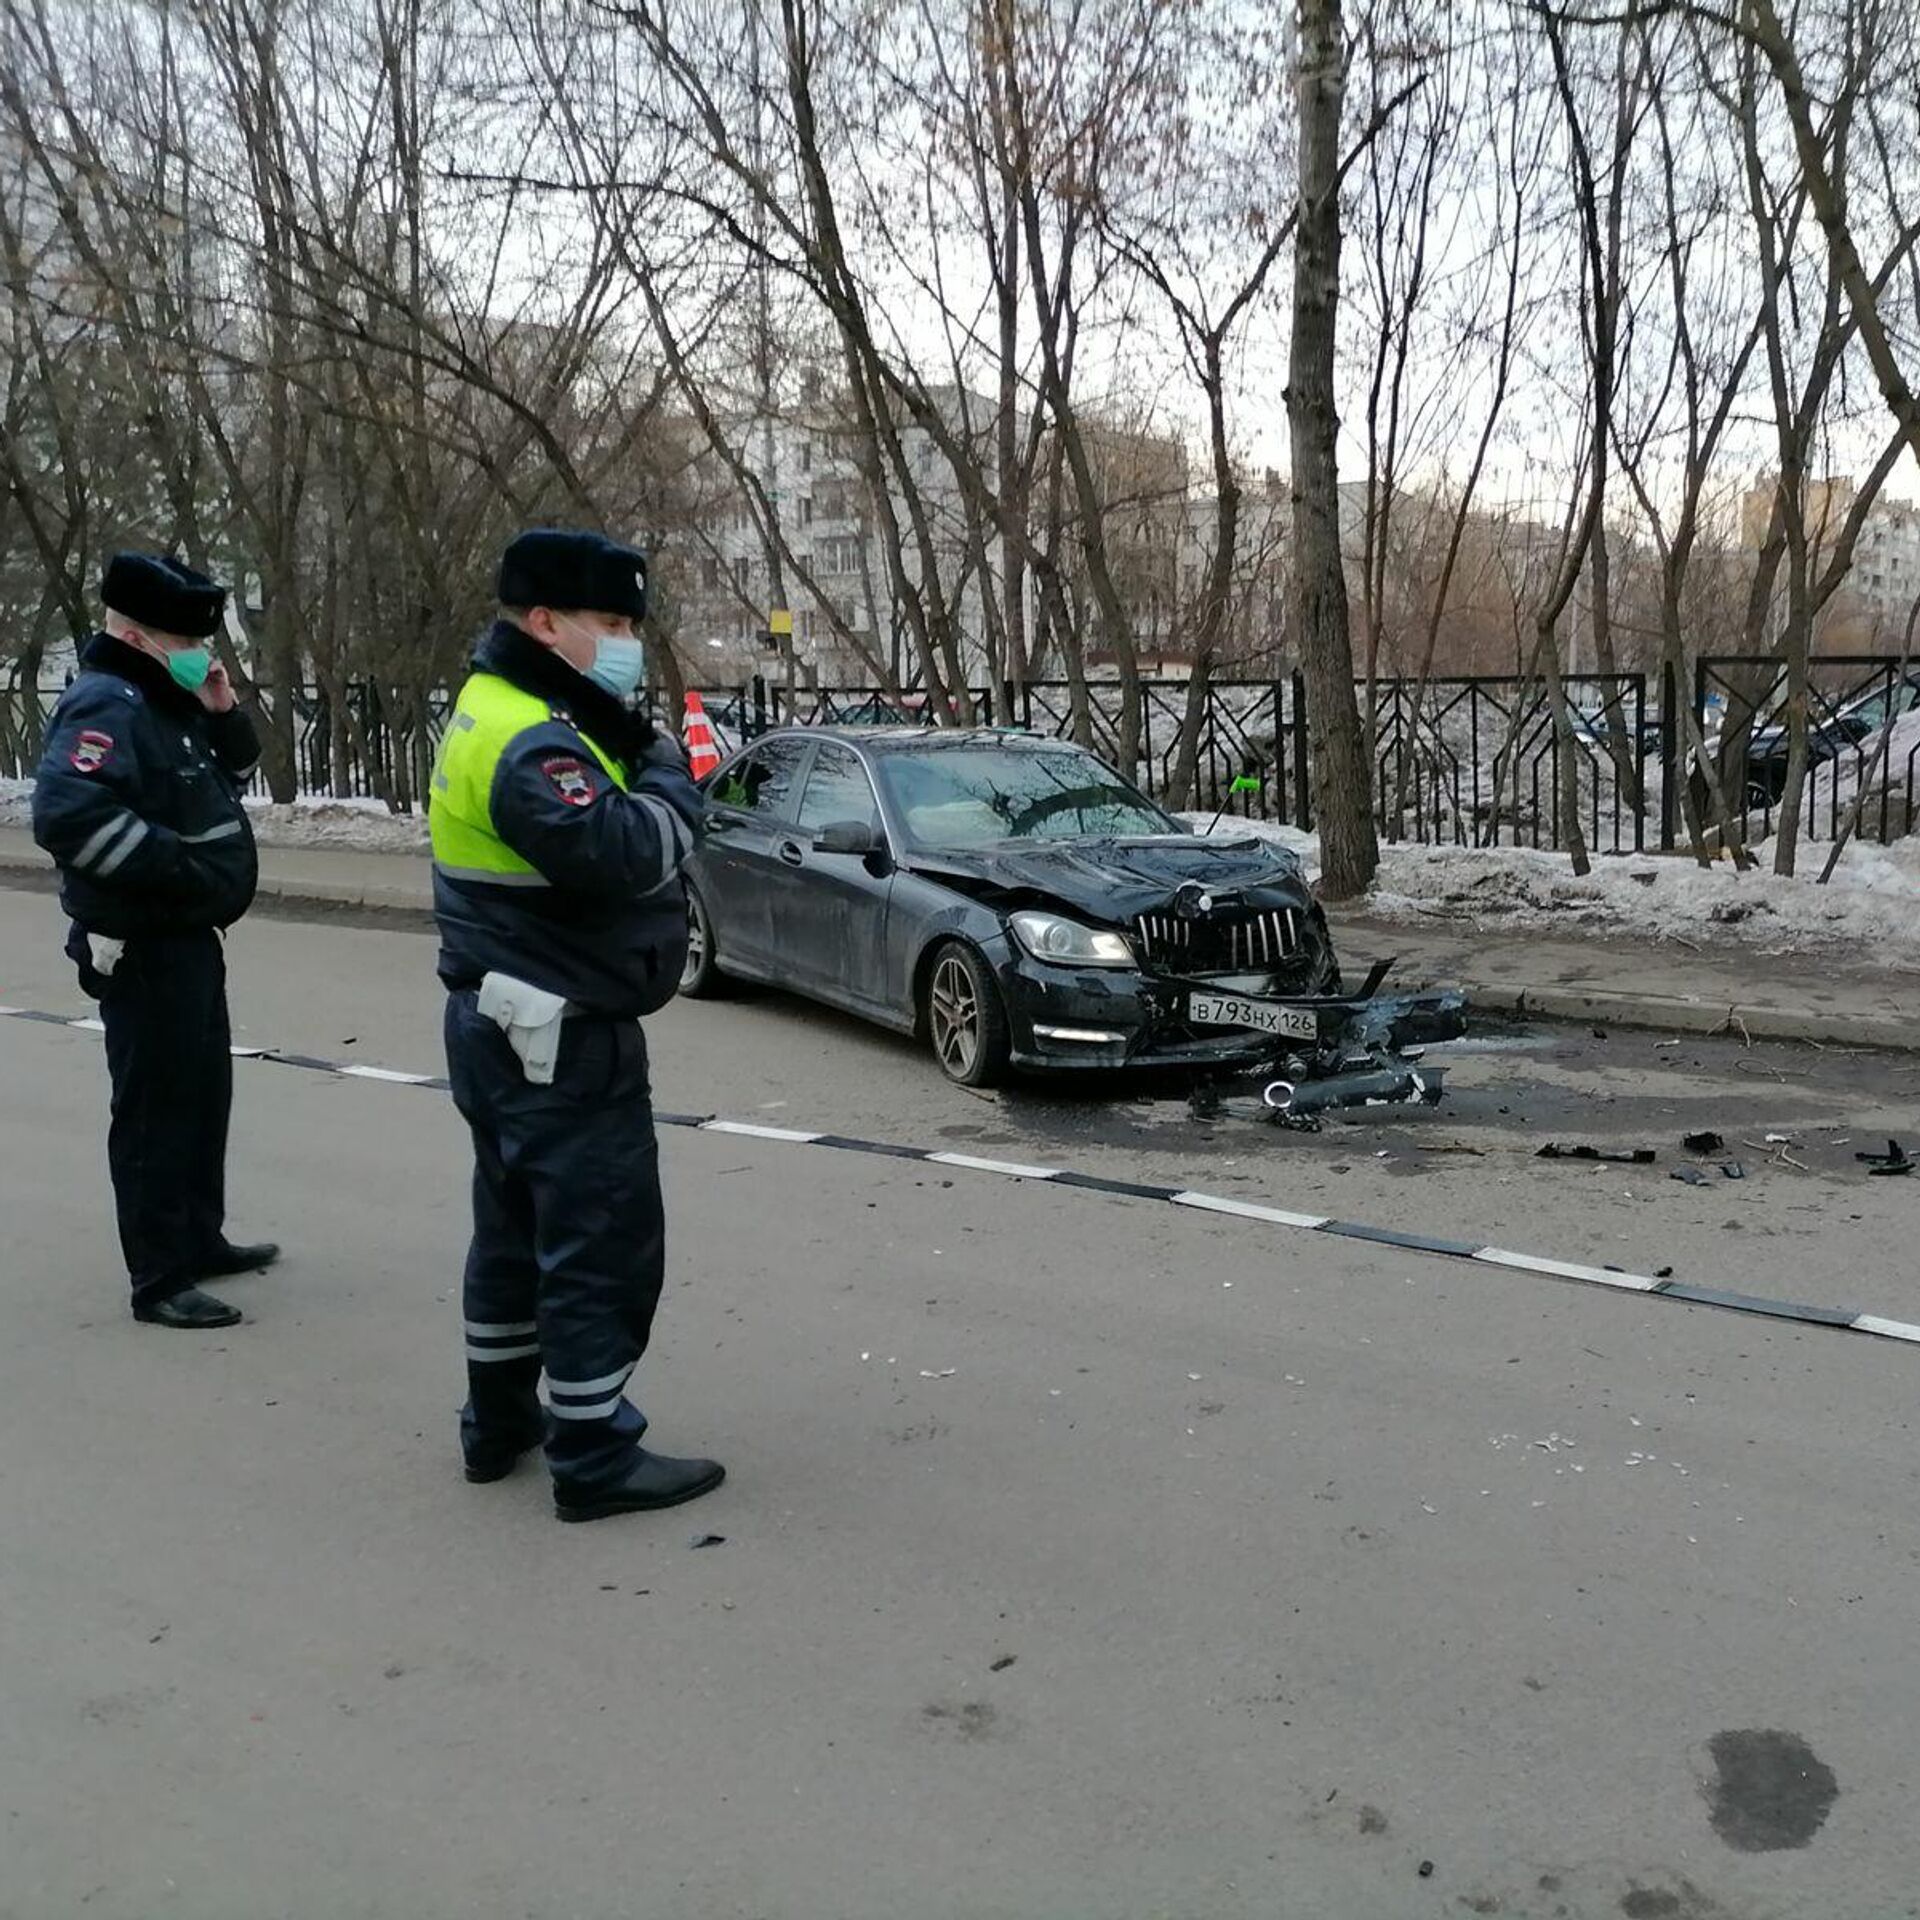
[(562, 823)]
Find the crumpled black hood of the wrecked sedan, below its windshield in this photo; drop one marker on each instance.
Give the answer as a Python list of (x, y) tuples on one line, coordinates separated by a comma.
[(1120, 878)]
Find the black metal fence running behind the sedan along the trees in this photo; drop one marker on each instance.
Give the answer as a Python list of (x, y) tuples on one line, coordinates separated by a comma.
[(1472, 761)]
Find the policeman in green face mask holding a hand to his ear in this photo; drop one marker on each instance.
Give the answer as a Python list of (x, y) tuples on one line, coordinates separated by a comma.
[(139, 802)]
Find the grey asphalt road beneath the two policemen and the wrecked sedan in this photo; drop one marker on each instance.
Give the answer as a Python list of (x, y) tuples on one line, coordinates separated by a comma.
[(1084, 1558)]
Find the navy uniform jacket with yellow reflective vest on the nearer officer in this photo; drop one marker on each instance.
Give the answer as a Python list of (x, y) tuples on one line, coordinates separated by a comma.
[(602, 917)]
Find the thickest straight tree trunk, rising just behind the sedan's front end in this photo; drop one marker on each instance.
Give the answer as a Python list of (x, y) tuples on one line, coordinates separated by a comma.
[(1343, 784)]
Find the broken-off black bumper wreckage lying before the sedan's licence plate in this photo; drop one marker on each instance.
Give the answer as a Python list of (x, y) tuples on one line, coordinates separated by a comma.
[(1370, 1051)]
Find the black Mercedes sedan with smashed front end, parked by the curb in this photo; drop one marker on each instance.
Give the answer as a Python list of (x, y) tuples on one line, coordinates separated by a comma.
[(1009, 900)]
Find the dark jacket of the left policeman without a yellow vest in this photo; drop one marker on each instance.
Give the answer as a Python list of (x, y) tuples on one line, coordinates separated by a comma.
[(139, 802)]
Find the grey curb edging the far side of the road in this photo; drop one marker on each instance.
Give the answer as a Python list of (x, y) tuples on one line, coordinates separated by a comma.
[(1652, 1013)]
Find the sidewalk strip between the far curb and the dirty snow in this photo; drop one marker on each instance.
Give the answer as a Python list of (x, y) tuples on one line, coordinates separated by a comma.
[(1629, 984)]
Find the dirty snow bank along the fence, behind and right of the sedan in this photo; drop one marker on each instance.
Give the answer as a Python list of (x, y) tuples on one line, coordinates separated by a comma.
[(1871, 907)]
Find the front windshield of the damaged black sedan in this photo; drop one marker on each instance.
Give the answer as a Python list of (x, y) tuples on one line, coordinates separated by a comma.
[(951, 798)]
